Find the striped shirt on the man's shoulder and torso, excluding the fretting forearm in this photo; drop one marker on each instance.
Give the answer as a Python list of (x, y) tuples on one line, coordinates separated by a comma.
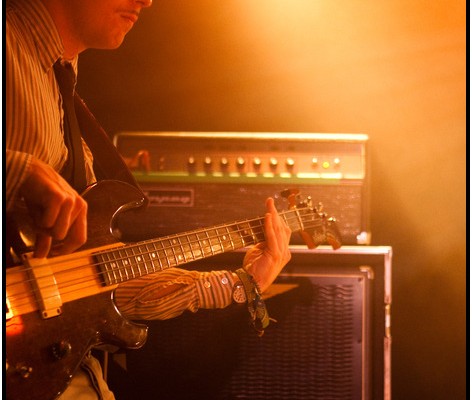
[(33, 104)]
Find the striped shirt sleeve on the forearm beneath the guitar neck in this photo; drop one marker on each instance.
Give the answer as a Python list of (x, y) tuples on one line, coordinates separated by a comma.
[(167, 294)]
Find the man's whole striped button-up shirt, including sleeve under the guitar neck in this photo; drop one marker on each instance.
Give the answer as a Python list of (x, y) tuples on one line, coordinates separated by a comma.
[(34, 129)]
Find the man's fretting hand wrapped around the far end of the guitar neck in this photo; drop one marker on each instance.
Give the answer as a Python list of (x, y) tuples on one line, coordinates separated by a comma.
[(265, 260)]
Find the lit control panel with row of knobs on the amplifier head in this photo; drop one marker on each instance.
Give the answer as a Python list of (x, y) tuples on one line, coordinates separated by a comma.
[(301, 155)]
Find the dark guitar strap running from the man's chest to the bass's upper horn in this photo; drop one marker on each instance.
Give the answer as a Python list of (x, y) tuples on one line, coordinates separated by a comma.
[(108, 163)]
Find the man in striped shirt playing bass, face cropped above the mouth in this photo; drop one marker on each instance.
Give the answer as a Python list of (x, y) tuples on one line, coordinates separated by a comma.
[(40, 33)]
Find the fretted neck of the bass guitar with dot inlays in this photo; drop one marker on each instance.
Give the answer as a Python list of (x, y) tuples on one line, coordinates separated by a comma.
[(132, 261)]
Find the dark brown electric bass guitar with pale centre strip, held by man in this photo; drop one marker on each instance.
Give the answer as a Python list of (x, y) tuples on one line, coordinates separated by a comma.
[(58, 308)]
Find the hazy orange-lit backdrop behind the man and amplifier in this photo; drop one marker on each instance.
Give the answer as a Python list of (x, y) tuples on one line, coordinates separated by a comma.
[(395, 70)]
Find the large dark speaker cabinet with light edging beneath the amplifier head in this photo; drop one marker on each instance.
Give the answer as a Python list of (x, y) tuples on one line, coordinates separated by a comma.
[(331, 339)]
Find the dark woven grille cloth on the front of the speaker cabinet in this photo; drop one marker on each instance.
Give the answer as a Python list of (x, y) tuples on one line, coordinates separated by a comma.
[(314, 351)]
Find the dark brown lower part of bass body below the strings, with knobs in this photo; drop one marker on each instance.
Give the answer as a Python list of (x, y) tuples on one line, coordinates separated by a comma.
[(43, 355)]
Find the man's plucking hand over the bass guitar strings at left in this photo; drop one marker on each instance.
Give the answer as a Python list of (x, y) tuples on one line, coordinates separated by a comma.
[(58, 212)]
